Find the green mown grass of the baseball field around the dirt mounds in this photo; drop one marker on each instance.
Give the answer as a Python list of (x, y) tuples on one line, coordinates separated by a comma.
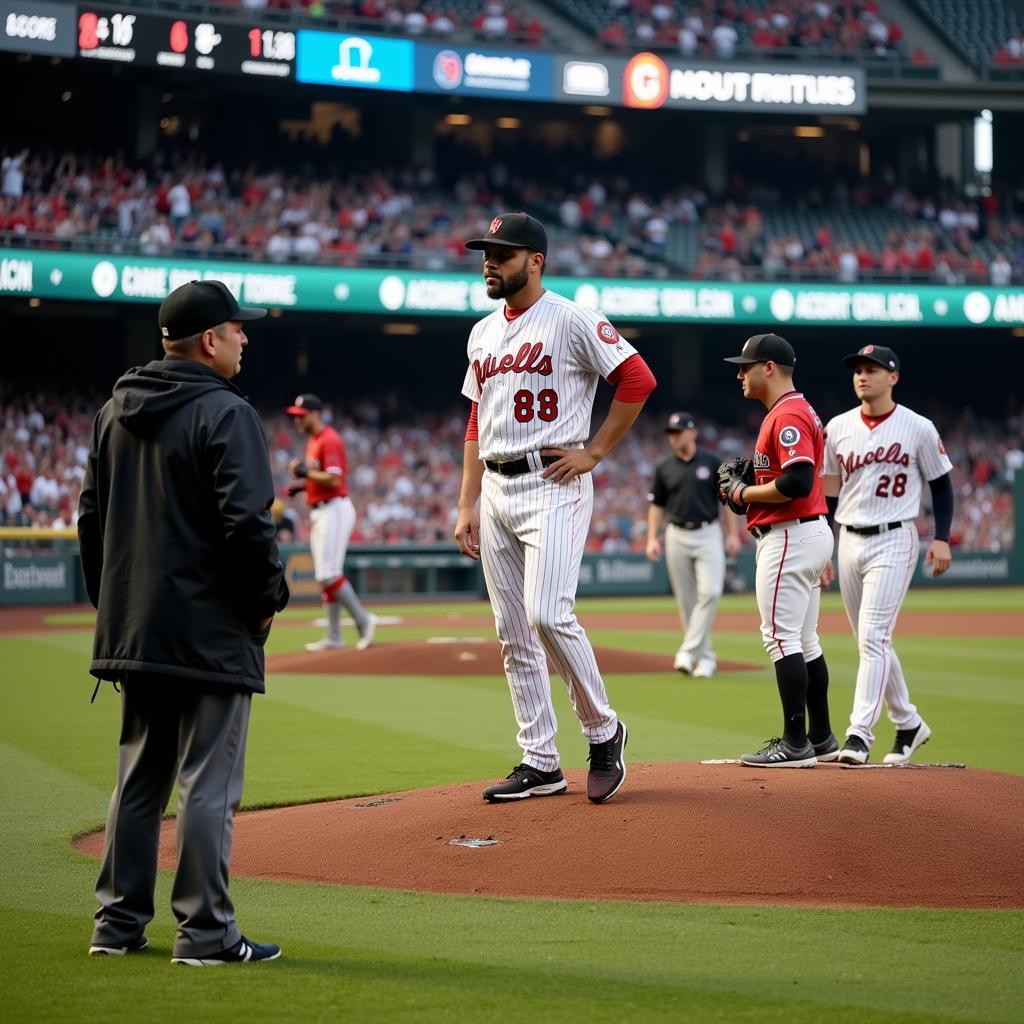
[(359, 955)]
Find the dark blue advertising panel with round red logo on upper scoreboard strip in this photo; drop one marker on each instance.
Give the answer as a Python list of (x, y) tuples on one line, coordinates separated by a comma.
[(485, 73)]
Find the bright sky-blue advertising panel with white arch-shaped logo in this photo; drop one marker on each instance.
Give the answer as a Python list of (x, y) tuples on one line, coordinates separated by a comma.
[(357, 62)]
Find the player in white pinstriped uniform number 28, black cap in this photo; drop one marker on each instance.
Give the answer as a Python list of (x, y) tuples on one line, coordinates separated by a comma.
[(878, 456)]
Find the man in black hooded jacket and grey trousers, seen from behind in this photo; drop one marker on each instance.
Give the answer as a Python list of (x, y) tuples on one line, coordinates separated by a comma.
[(181, 561)]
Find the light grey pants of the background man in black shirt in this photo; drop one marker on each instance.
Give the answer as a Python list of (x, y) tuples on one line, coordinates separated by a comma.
[(696, 561)]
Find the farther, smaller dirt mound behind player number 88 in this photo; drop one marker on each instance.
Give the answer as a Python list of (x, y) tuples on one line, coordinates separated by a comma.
[(455, 657)]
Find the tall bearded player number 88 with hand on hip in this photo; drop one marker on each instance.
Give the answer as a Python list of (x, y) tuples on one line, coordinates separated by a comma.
[(534, 368)]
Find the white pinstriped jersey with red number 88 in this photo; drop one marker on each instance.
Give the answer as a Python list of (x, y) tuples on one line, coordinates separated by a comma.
[(535, 378)]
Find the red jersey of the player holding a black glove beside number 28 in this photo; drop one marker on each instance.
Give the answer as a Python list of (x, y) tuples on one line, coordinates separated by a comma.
[(791, 433)]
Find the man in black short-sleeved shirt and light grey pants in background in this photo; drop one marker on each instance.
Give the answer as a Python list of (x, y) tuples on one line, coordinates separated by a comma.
[(686, 493)]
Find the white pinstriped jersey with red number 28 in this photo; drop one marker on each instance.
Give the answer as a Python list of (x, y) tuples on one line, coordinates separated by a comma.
[(883, 470)]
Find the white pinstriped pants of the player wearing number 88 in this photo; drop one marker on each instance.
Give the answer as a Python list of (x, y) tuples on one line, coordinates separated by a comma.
[(533, 534)]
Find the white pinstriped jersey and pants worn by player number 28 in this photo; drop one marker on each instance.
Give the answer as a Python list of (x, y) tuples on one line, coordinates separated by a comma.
[(883, 464)]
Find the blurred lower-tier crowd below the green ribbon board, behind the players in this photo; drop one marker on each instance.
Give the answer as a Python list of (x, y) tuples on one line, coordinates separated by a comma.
[(405, 473)]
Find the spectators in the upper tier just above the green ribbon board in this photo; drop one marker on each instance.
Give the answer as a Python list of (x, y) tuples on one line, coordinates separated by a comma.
[(603, 225)]
